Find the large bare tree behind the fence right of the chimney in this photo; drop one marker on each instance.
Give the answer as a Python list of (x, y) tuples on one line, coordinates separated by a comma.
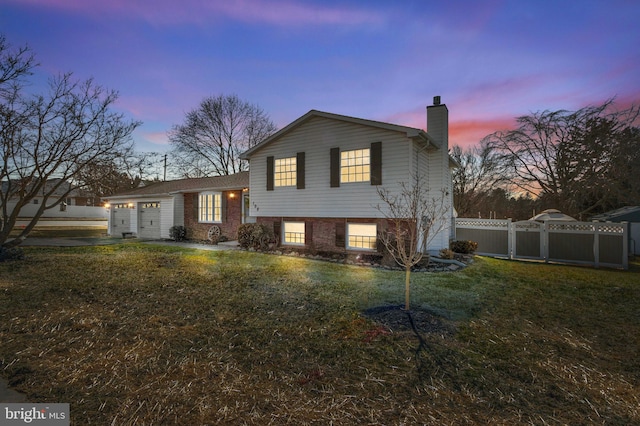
[(559, 154)]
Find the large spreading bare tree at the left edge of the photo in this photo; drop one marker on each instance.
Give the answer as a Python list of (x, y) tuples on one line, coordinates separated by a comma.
[(47, 141)]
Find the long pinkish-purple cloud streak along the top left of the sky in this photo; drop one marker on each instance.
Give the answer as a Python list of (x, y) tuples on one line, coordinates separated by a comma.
[(167, 12)]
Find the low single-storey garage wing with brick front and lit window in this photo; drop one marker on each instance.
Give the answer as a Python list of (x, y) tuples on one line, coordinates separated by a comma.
[(204, 206)]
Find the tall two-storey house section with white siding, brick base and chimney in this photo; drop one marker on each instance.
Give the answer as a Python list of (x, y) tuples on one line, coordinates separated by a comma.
[(315, 181)]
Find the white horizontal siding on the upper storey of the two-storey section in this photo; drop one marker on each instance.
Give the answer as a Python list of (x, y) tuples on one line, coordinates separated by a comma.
[(316, 137)]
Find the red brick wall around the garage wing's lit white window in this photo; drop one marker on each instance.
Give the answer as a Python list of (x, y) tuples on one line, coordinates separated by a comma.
[(231, 216)]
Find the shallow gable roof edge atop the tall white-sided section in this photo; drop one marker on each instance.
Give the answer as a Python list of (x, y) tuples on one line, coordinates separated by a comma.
[(411, 132)]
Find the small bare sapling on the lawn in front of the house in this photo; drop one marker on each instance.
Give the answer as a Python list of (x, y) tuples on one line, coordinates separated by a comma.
[(414, 217)]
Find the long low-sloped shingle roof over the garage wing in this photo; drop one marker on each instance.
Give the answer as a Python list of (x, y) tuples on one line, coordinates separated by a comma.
[(218, 183)]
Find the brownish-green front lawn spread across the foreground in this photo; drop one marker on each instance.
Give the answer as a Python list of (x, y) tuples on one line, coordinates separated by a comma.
[(146, 335)]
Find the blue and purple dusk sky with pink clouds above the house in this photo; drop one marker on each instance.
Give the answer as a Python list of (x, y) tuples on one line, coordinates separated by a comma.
[(490, 61)]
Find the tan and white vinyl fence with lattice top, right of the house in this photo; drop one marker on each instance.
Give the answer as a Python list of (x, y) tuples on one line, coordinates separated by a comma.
[(590, 243)]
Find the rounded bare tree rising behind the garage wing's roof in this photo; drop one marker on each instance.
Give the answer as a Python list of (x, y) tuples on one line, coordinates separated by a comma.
[(213, 136)]
